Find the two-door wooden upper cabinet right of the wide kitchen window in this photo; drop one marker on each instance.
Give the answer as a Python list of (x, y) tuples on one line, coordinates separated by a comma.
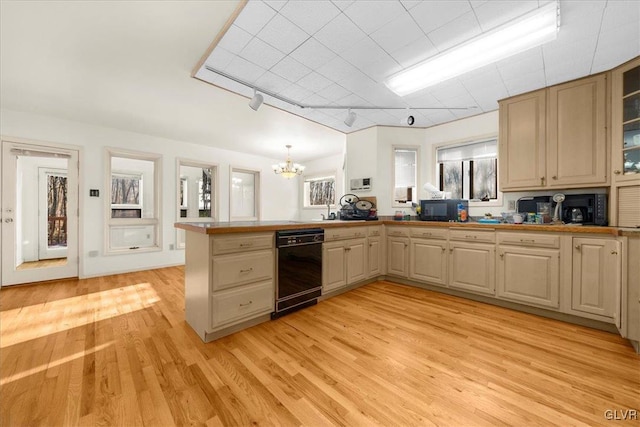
[(555, 137)]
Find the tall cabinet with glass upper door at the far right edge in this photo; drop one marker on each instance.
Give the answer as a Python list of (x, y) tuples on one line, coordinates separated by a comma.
[(624, 197)]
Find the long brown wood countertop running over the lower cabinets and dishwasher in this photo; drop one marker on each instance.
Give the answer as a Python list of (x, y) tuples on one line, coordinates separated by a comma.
[(264, 226)]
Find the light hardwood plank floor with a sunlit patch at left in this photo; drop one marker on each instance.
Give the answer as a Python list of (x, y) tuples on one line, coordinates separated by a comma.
[(116, 351)]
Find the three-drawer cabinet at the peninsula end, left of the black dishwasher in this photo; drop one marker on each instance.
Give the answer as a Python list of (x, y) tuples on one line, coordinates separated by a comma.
[(229, 281)]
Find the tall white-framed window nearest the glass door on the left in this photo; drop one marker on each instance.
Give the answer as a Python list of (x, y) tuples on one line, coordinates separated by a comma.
[(133, 202)]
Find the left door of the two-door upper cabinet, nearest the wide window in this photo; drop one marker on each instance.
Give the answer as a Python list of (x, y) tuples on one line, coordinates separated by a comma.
[(522, 141)]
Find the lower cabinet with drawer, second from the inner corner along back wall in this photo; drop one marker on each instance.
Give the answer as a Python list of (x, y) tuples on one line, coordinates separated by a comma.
[(428, 255)]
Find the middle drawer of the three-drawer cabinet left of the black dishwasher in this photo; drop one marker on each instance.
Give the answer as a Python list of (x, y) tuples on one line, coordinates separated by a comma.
[(235, 270)]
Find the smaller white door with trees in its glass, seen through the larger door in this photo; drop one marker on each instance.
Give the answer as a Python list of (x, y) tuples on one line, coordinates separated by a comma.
[(52, 218)]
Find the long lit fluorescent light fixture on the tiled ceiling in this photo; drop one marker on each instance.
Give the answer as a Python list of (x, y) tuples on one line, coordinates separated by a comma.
[(528, 31)]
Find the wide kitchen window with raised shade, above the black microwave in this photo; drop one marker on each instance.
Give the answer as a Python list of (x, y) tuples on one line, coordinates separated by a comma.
[(469, 171)]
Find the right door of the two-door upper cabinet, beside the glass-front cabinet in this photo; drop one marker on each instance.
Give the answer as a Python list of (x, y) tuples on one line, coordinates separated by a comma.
[(576, 138)]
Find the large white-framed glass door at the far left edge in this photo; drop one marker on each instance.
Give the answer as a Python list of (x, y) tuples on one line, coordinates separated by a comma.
[(21, 224)]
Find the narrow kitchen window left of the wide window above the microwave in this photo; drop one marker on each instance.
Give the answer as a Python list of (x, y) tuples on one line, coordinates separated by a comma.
[(405, 176)]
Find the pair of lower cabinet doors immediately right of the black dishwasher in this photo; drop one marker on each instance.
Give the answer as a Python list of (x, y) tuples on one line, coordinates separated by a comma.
[(343, 262)]
